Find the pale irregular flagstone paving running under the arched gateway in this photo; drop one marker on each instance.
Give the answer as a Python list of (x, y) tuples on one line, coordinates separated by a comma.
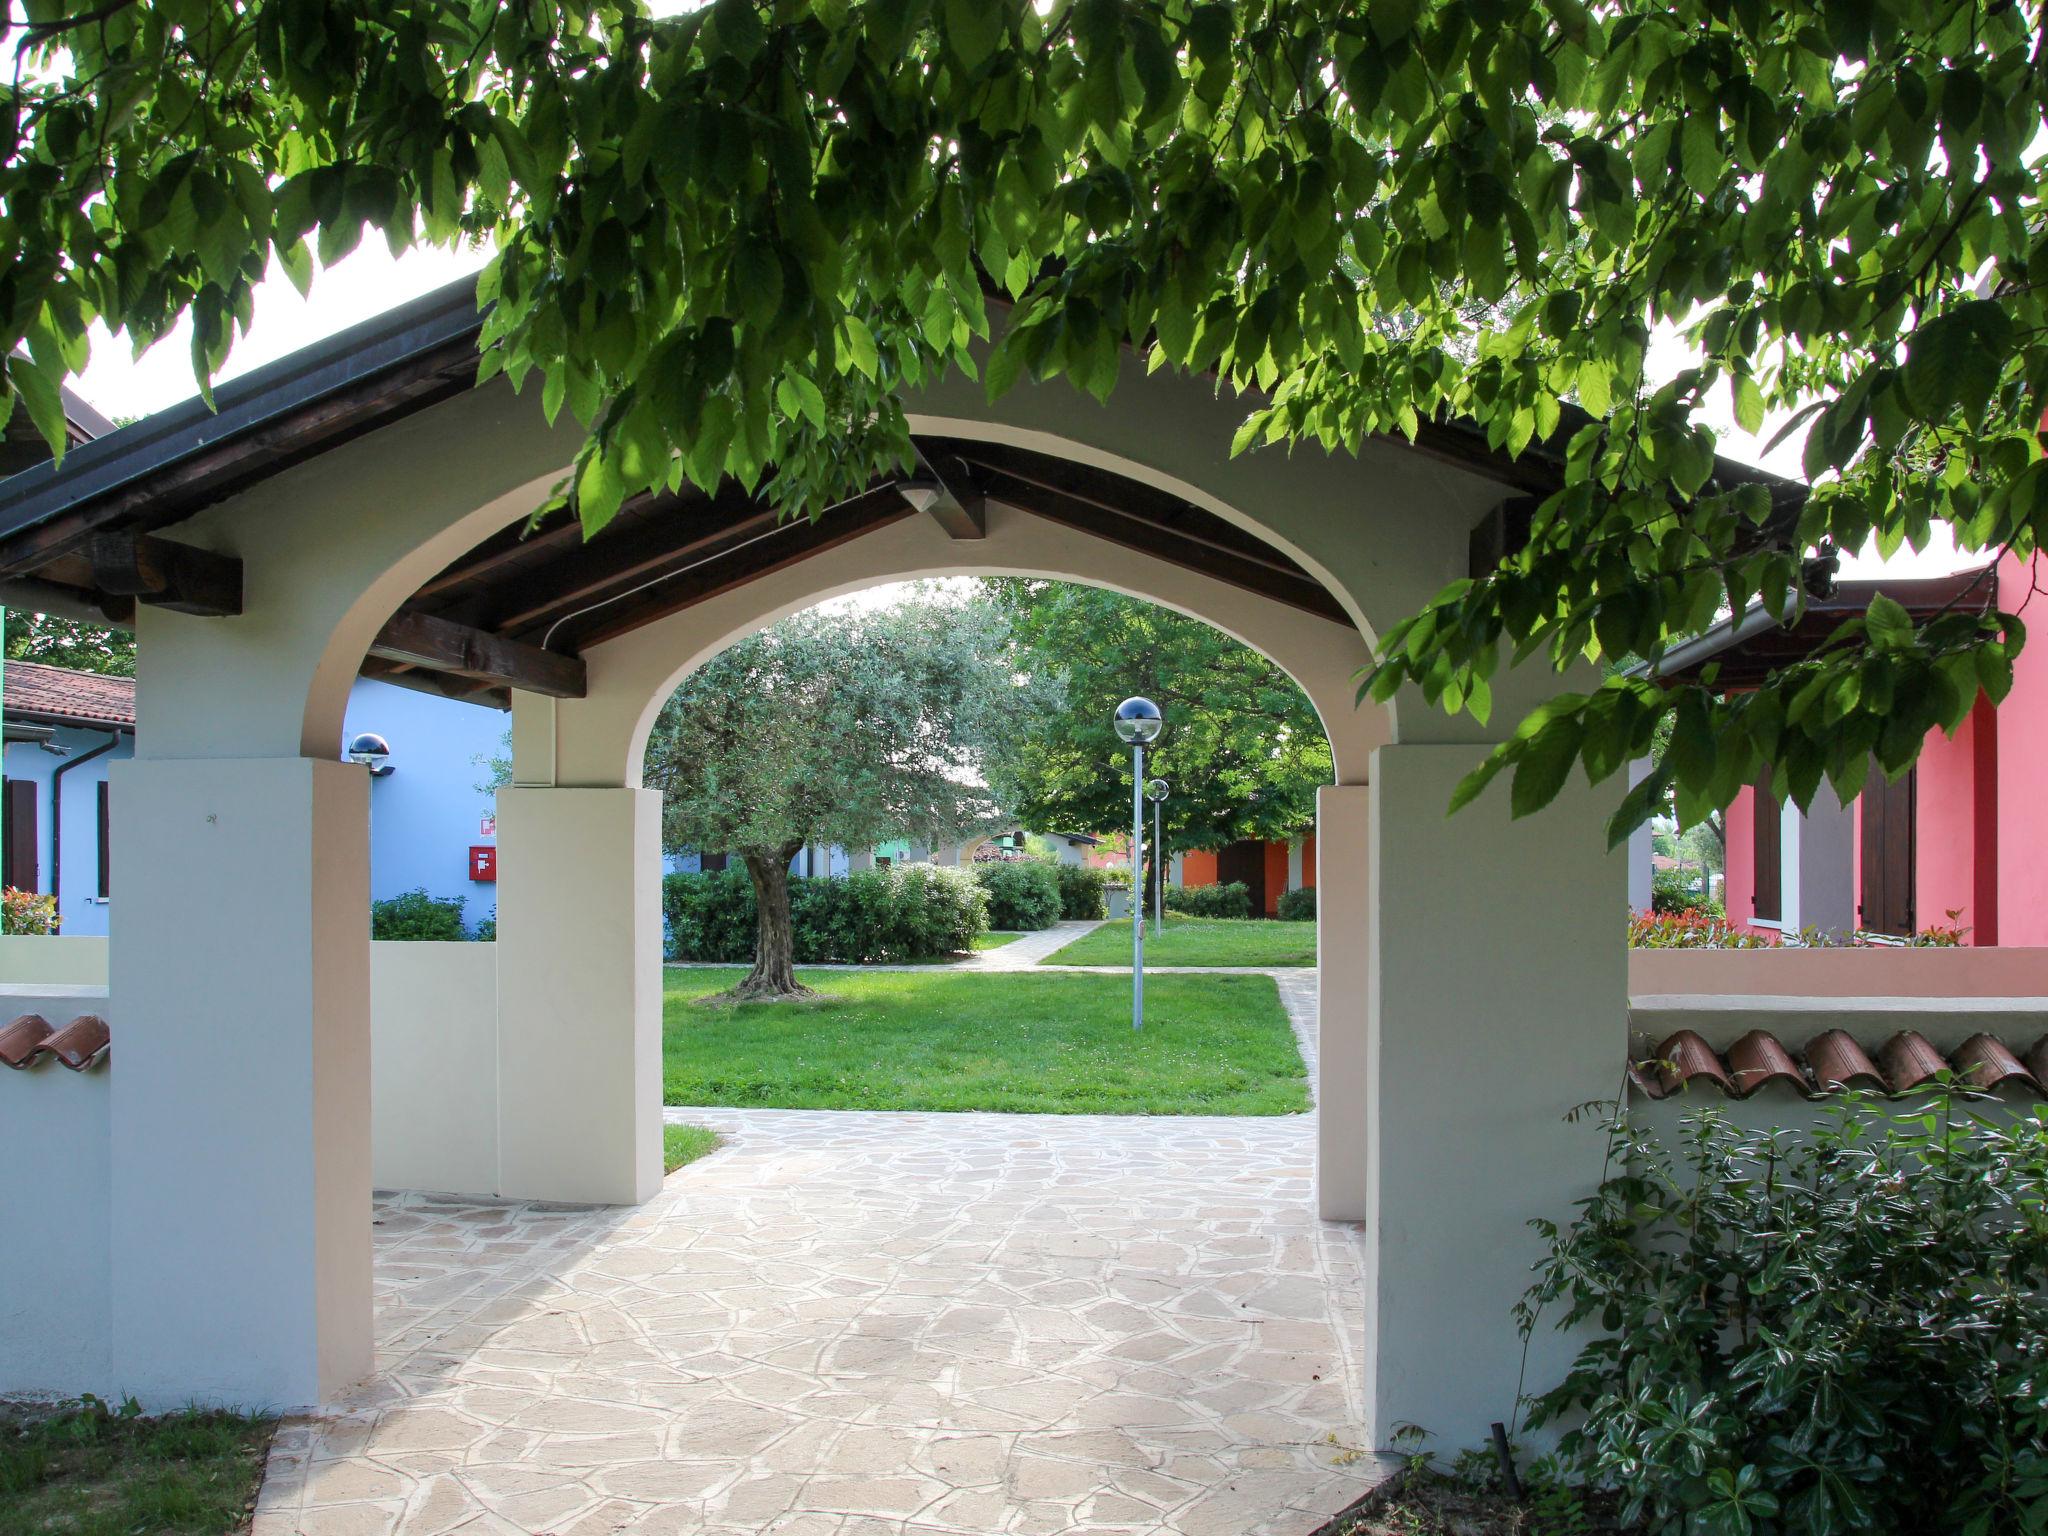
[(853, 1324)]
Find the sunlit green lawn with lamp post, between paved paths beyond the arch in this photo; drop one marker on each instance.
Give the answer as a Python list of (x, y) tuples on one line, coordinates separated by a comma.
[(1023, 1043)]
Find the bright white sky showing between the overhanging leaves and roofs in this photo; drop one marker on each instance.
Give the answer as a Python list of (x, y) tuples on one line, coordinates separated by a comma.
[(372, 282)]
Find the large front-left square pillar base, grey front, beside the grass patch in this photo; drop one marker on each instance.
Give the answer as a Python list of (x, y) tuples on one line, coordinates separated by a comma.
[(241, 1248)]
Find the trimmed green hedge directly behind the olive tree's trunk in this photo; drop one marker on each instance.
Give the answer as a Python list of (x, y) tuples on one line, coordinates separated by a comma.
[(910, 912)]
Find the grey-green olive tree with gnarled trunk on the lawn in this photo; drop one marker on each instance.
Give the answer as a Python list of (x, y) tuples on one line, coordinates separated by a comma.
[(833, 726)]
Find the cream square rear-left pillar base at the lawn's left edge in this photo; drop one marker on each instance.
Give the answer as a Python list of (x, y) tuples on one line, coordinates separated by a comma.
[(581, 994)]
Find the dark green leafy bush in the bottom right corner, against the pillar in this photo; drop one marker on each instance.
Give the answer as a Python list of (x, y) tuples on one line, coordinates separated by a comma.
[(1840, 1330)]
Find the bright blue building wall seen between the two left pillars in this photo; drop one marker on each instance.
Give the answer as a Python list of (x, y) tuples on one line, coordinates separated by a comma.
[(429, 812)]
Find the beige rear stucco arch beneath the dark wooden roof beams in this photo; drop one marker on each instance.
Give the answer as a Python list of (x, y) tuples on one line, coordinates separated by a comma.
[(601, 740)]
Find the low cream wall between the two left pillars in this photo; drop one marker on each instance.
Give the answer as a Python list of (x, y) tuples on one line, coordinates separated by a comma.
[(435, 1068)]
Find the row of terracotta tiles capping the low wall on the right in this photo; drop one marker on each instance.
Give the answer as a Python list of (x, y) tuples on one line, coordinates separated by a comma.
[(1834, 1062)]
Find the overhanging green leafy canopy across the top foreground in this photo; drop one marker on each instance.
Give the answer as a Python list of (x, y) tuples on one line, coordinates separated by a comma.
[(732, 241)]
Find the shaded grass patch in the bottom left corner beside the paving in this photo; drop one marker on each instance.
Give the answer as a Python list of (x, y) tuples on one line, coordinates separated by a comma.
[(83, 1469)]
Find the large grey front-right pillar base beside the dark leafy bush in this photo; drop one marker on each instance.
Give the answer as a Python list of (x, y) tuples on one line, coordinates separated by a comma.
[(1498, 1005)]
